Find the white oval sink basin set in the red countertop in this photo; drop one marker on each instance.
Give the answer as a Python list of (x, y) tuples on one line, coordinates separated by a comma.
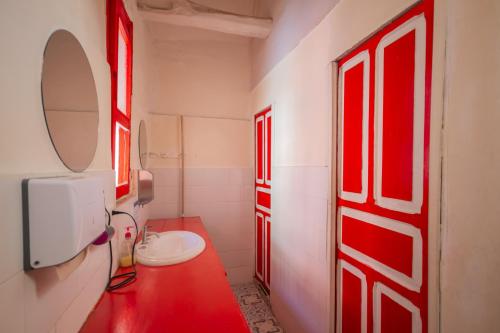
[(169, 248)]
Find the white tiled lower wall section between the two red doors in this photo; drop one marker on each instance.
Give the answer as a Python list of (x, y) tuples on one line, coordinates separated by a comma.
[(300, 238)]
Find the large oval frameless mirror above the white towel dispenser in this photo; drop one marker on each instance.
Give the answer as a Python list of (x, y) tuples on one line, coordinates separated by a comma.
[(70, 100)]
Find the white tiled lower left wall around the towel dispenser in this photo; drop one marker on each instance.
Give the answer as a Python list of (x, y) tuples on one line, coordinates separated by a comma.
[(47, 300)]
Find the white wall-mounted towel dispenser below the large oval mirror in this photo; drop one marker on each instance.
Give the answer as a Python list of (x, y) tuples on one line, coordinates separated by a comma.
[(61, 217)]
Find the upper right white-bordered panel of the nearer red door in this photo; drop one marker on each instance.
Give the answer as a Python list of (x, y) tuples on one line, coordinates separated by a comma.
[(400, 112)]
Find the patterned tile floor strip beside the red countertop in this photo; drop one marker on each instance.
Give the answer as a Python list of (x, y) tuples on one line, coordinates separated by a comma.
[(255, 307)]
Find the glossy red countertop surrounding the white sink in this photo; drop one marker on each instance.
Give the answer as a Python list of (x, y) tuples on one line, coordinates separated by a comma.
[(193, 296)]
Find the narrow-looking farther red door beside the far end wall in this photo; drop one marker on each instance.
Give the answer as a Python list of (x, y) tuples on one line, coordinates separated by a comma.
[(263, 196)]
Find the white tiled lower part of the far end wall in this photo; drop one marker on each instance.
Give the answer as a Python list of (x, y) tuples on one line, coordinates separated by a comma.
[(223, 198)]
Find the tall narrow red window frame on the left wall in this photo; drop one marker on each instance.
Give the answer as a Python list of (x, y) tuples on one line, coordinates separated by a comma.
[(119, 23)]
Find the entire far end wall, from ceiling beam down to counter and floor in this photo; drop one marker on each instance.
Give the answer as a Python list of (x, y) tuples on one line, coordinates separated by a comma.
[(205, 76)]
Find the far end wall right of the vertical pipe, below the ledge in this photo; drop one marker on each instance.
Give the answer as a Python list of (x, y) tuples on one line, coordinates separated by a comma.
[(219, 188)]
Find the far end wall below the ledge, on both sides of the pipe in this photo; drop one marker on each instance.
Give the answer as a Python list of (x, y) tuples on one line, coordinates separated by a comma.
[(217, 182)]
